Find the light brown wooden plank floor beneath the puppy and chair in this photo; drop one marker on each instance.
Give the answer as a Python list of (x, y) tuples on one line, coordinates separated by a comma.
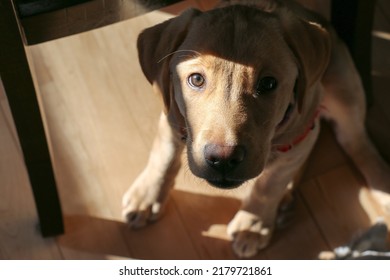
[(101, 118)]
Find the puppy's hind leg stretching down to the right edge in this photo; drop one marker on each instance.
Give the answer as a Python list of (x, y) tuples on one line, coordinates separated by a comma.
[(346, 108)]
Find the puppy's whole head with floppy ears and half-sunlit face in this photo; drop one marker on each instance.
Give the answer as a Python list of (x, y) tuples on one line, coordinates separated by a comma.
[(227, 78)]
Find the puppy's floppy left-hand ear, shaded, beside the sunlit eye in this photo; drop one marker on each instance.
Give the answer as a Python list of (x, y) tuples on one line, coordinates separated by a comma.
[(155, 44)]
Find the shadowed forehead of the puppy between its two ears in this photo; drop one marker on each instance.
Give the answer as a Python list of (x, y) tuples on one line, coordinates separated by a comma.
[(241, 34)]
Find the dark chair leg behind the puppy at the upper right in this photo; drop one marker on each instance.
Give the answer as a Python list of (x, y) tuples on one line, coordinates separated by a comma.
[(353, 20)]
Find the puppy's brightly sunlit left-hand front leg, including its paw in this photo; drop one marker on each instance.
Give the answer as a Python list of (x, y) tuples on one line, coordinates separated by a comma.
[(144, 200)]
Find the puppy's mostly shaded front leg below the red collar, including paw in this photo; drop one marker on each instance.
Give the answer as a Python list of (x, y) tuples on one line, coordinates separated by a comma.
[(252, 227)]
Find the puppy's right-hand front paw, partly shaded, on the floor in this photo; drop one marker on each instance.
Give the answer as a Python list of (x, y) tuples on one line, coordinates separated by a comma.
[(249, 233)]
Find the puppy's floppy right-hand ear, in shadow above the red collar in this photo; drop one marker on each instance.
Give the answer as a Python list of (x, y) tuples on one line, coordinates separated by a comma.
[(311, 44)]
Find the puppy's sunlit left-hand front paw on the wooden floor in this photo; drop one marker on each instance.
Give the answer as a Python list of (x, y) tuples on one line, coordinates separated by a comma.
[(142, 203)]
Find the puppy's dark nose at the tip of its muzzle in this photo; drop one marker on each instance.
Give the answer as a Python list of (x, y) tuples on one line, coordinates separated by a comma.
[(224, 158)]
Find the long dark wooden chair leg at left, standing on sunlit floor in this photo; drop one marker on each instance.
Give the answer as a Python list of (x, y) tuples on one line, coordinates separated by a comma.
[(19, 88)]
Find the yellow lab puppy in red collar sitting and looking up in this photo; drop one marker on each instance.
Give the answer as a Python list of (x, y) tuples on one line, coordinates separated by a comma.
[(244, 86)]
